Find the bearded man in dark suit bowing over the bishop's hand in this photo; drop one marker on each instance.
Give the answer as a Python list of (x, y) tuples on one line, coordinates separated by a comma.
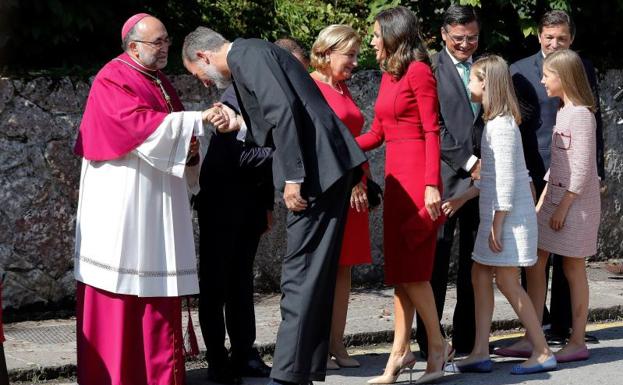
[(314, 162)]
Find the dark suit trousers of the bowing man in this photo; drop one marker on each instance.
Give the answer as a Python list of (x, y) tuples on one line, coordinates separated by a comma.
[(308, 283)]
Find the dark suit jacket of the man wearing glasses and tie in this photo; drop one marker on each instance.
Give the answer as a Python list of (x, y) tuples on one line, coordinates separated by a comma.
[(460, 129)]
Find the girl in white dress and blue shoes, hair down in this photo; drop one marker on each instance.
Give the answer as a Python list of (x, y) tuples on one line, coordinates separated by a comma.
[(507, 232)]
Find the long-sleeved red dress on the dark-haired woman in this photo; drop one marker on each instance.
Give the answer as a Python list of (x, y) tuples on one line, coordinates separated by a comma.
[(407, 119)]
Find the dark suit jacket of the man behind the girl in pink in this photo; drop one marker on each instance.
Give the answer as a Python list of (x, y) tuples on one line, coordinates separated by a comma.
[(538, 115)]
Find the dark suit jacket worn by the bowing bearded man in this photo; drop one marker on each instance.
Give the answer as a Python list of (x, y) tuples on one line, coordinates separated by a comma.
[(279, 100)]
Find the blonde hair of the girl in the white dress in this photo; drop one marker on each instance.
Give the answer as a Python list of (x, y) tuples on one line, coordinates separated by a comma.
[(500, 98)]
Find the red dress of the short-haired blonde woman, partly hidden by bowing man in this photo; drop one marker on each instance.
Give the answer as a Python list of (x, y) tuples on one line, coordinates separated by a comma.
[(356, 243)]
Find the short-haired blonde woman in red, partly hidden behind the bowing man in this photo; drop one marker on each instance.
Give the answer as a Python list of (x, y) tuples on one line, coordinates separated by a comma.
[(334, 56)]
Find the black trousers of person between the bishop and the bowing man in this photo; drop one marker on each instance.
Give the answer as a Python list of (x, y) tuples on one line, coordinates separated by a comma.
[(227, 253)]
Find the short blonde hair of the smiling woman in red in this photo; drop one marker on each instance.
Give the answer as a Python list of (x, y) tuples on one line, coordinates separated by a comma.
[(334, 38)]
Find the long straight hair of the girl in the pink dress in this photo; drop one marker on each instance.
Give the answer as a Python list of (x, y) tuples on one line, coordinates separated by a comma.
[(568, 66)]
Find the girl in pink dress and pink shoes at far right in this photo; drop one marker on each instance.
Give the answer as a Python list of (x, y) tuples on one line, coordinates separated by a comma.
[(568, 210)]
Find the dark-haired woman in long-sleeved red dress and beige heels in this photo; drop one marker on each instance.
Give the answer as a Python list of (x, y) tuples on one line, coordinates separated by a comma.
[(406, 119)]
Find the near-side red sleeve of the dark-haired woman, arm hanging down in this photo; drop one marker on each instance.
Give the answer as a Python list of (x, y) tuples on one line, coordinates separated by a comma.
[(423, 84)]
